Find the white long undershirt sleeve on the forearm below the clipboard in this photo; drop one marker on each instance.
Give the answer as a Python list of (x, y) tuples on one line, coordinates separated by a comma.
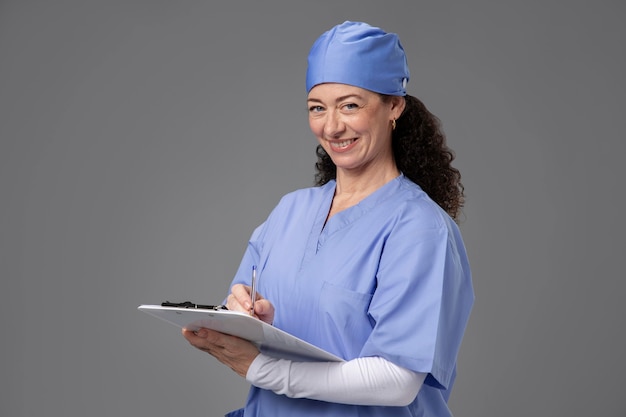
[(361, 381)]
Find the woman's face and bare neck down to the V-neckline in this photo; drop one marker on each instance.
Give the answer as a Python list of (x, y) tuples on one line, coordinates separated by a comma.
[(354, 126)]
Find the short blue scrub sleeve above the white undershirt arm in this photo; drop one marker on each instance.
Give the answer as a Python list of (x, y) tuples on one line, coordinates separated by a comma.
[(423, 297)]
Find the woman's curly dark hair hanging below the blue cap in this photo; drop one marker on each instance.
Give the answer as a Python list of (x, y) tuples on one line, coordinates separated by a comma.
[(420, 151)]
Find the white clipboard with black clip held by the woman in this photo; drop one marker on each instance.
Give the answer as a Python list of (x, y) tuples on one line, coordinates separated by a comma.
[(269, 339)]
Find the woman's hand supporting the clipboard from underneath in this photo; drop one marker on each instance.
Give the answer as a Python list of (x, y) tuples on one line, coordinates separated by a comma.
[(232, 351)]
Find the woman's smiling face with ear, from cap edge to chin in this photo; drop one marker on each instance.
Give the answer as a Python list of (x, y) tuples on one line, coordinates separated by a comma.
[(353, 125)]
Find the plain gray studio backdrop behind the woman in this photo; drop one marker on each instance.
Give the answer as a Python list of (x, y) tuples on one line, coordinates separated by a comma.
[(142, 141)]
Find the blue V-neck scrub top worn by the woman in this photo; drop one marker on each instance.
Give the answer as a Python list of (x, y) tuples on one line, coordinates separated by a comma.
[(387, 277)]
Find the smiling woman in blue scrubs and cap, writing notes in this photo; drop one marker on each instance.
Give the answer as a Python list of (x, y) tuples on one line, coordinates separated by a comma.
[(369, 264)]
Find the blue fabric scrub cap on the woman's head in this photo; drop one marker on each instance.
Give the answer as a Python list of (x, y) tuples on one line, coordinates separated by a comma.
[(361, 55)]
